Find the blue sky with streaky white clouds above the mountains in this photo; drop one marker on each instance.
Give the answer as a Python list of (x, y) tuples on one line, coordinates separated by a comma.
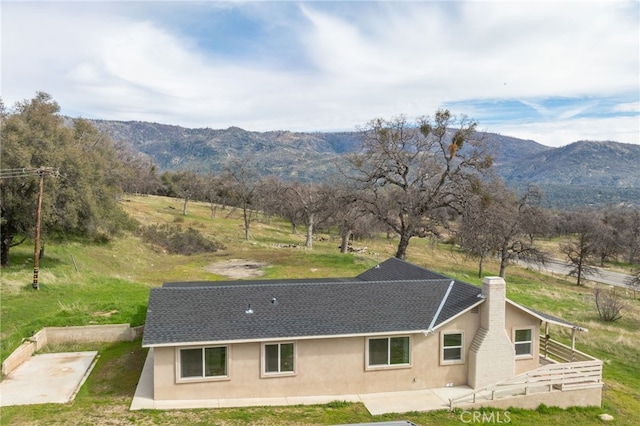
[(555, 72)]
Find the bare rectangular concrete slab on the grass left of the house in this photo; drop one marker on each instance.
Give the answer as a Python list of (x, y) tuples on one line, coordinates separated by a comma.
[(47, 378)]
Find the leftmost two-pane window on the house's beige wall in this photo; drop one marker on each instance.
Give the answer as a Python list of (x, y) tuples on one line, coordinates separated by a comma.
[(200, 363)]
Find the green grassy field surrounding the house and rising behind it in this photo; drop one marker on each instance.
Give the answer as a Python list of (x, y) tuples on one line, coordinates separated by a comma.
[(109, 283)]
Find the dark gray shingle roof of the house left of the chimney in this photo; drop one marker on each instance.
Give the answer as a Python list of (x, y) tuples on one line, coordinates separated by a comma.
[(393, 297)]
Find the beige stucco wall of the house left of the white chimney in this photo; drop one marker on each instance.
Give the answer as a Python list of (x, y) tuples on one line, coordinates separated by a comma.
[(323, 367)]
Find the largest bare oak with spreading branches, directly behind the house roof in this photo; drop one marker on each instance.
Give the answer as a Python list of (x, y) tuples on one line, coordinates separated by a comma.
[(413, 171)]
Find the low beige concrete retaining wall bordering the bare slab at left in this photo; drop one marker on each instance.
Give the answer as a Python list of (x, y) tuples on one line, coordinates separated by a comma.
[(61, 335)]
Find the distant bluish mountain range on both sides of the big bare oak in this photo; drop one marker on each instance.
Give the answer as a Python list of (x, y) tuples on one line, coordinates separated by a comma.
[(583, 173)]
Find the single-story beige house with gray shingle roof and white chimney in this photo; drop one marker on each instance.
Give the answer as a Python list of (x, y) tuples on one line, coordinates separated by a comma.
[(395, 327)]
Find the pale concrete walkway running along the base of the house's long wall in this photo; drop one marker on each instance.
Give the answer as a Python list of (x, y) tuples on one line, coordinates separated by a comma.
[(376, 403)]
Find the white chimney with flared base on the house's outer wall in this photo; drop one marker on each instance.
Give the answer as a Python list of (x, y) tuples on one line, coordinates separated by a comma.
[(491, 353)]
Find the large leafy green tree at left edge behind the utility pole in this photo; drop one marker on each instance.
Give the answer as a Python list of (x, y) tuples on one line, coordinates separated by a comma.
[(82, 200)]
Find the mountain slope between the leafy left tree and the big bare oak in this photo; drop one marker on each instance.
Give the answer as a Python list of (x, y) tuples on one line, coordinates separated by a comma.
[(288, 155)]
